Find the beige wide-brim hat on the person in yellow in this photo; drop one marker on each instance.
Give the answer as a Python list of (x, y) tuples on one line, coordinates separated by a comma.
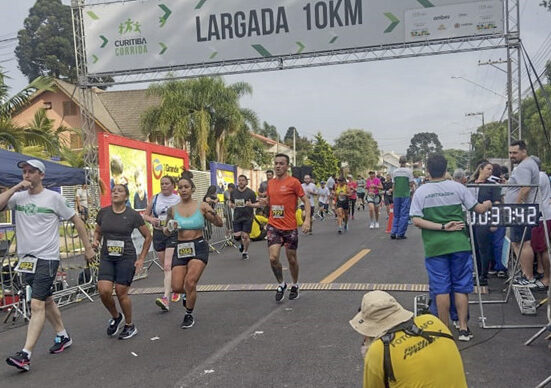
[(379, 313)]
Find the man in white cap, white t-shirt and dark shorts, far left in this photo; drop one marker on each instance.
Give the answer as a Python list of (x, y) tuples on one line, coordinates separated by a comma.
[(37, 214)]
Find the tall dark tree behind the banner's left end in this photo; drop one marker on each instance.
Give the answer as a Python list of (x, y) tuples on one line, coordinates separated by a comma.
[(46, 45)]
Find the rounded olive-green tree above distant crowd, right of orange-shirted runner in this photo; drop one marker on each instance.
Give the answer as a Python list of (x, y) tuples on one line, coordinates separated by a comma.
[(358, 148)]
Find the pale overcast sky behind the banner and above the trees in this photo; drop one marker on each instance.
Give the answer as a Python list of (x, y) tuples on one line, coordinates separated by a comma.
[(394, 99)]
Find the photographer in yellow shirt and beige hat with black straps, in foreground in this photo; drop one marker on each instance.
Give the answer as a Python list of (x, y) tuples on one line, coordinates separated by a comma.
[(402, 351)]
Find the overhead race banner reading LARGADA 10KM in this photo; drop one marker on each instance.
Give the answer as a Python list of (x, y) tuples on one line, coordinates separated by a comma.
[(155, 34)]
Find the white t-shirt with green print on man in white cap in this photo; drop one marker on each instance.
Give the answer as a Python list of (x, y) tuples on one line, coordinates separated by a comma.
[(37, 222)]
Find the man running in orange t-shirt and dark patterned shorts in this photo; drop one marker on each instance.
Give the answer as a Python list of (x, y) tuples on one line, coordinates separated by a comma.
[(282, 196)]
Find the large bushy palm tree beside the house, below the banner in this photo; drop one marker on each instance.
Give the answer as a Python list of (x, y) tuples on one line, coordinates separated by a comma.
[(201, 112)]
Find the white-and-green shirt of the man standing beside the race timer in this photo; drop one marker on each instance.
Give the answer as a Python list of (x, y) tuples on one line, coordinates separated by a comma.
[(441, 202)]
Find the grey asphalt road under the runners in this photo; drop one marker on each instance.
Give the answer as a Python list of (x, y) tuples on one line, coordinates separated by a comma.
[(245, 339)]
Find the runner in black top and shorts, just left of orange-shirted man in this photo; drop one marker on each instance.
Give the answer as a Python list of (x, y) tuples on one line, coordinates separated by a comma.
[(242, 200)]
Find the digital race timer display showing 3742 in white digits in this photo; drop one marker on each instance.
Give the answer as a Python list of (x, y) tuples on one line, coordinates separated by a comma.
[(508, 215)]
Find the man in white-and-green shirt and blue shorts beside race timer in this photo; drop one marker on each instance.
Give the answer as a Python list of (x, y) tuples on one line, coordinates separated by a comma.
[(436, 209)]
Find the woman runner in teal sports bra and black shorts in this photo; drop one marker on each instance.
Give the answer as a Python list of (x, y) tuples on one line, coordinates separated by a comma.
[(191, 253)]
